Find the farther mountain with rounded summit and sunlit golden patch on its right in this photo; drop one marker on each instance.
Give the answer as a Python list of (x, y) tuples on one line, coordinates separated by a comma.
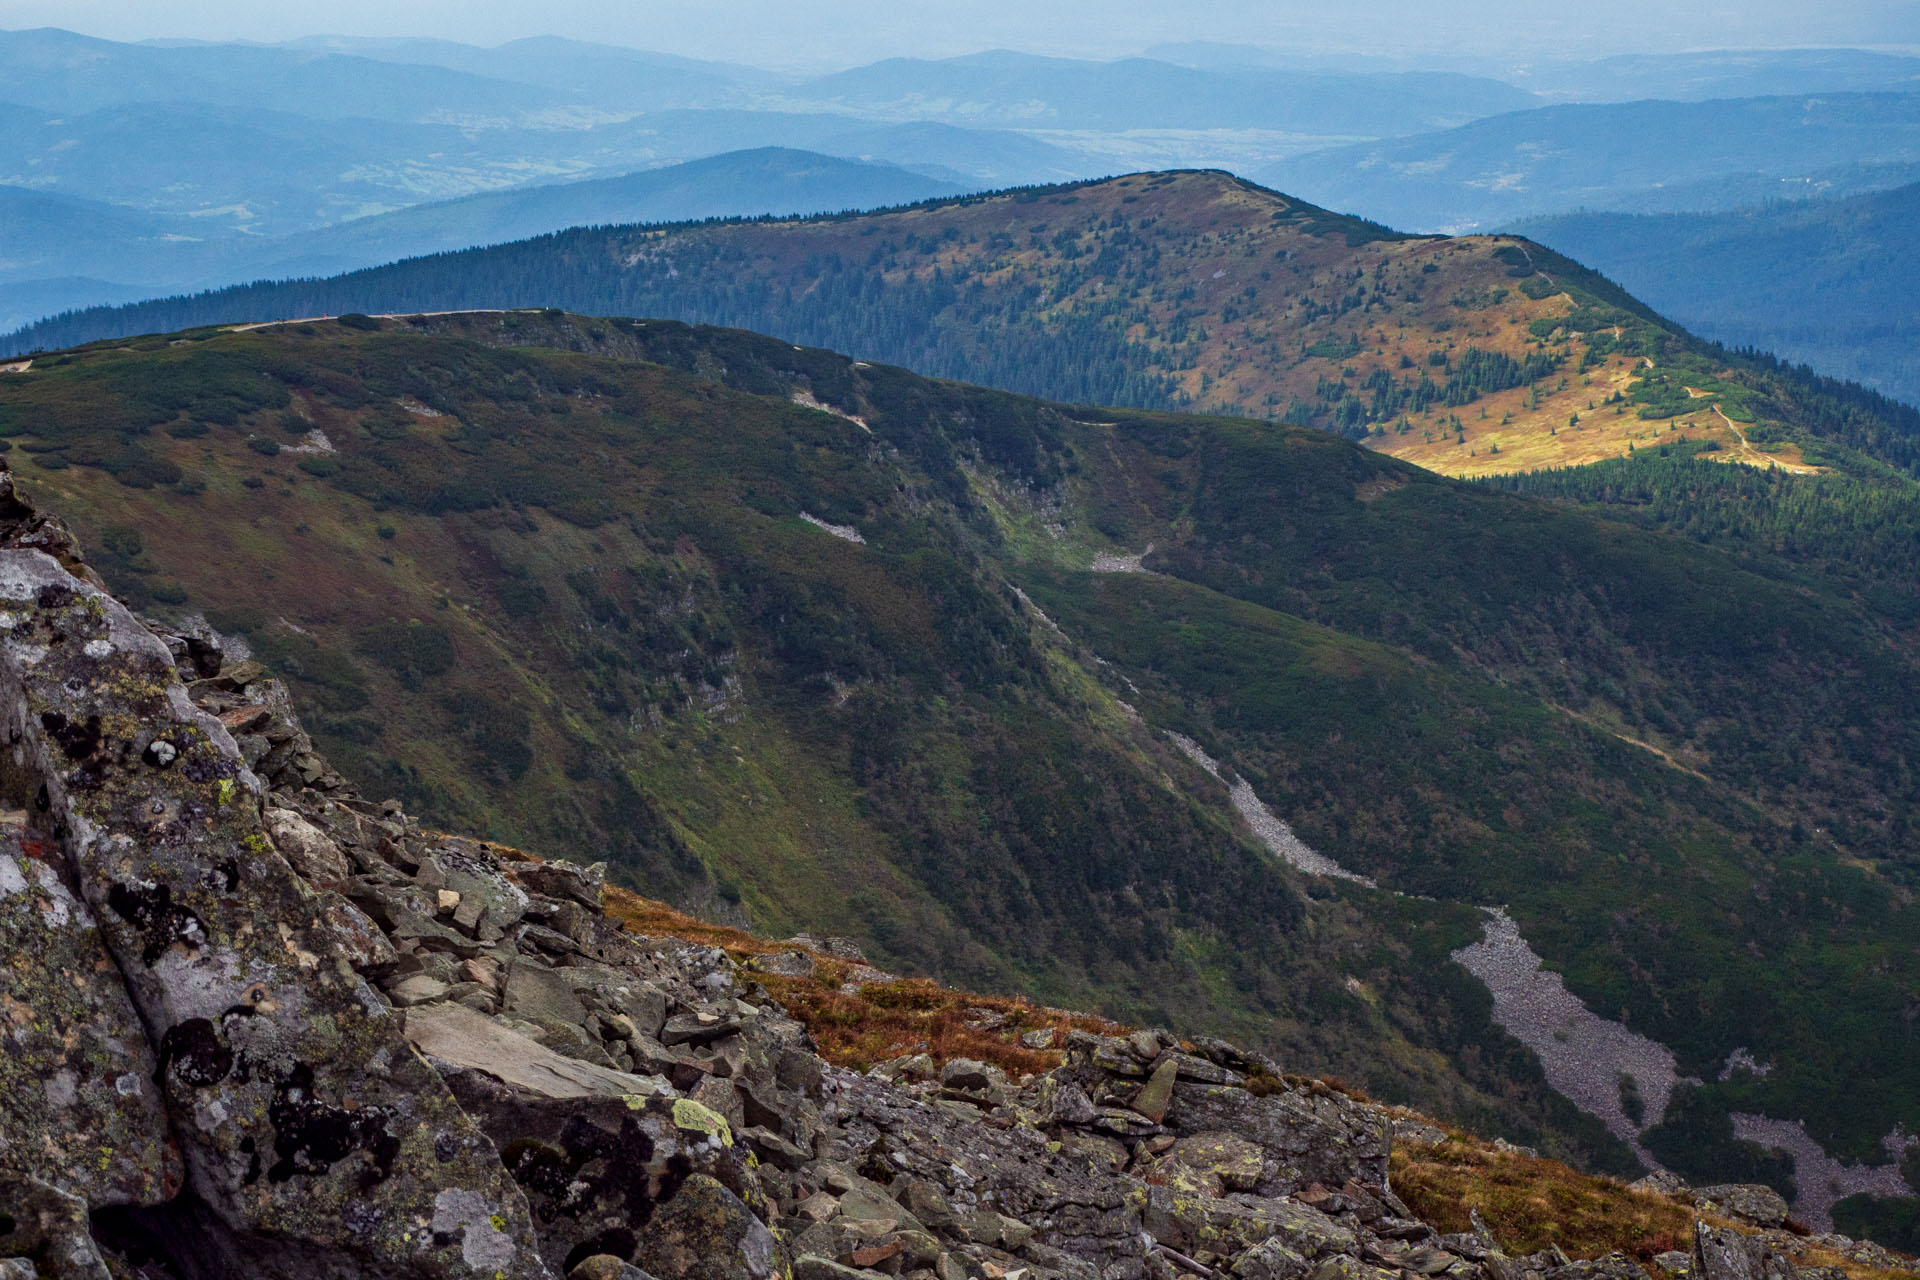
[(1470, 356)]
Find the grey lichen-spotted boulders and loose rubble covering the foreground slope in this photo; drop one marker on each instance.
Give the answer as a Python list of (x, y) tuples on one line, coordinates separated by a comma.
[(256, 1026)]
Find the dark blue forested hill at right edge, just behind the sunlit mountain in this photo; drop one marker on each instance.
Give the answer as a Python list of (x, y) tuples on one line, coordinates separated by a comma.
[(1825, 283)]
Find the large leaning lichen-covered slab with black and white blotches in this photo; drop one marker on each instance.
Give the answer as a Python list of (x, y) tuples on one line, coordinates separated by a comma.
[(300, 1110)]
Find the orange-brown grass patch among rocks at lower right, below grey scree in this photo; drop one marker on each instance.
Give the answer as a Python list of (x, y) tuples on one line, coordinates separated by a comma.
[(1531, 1204)]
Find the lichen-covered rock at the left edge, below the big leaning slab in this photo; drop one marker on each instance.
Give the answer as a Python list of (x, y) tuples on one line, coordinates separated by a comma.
[(78, 1101)]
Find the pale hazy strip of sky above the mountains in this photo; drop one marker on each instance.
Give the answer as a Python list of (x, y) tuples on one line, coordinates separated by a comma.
[(850, 32)]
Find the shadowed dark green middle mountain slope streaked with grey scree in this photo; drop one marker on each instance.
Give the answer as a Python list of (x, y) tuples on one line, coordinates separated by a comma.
[(804, 640)]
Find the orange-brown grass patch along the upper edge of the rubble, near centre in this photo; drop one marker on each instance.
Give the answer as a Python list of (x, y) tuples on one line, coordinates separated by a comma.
[(880, 1020)]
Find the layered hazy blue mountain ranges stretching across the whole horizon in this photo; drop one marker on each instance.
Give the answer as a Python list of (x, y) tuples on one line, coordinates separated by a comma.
[(147, 170)]
